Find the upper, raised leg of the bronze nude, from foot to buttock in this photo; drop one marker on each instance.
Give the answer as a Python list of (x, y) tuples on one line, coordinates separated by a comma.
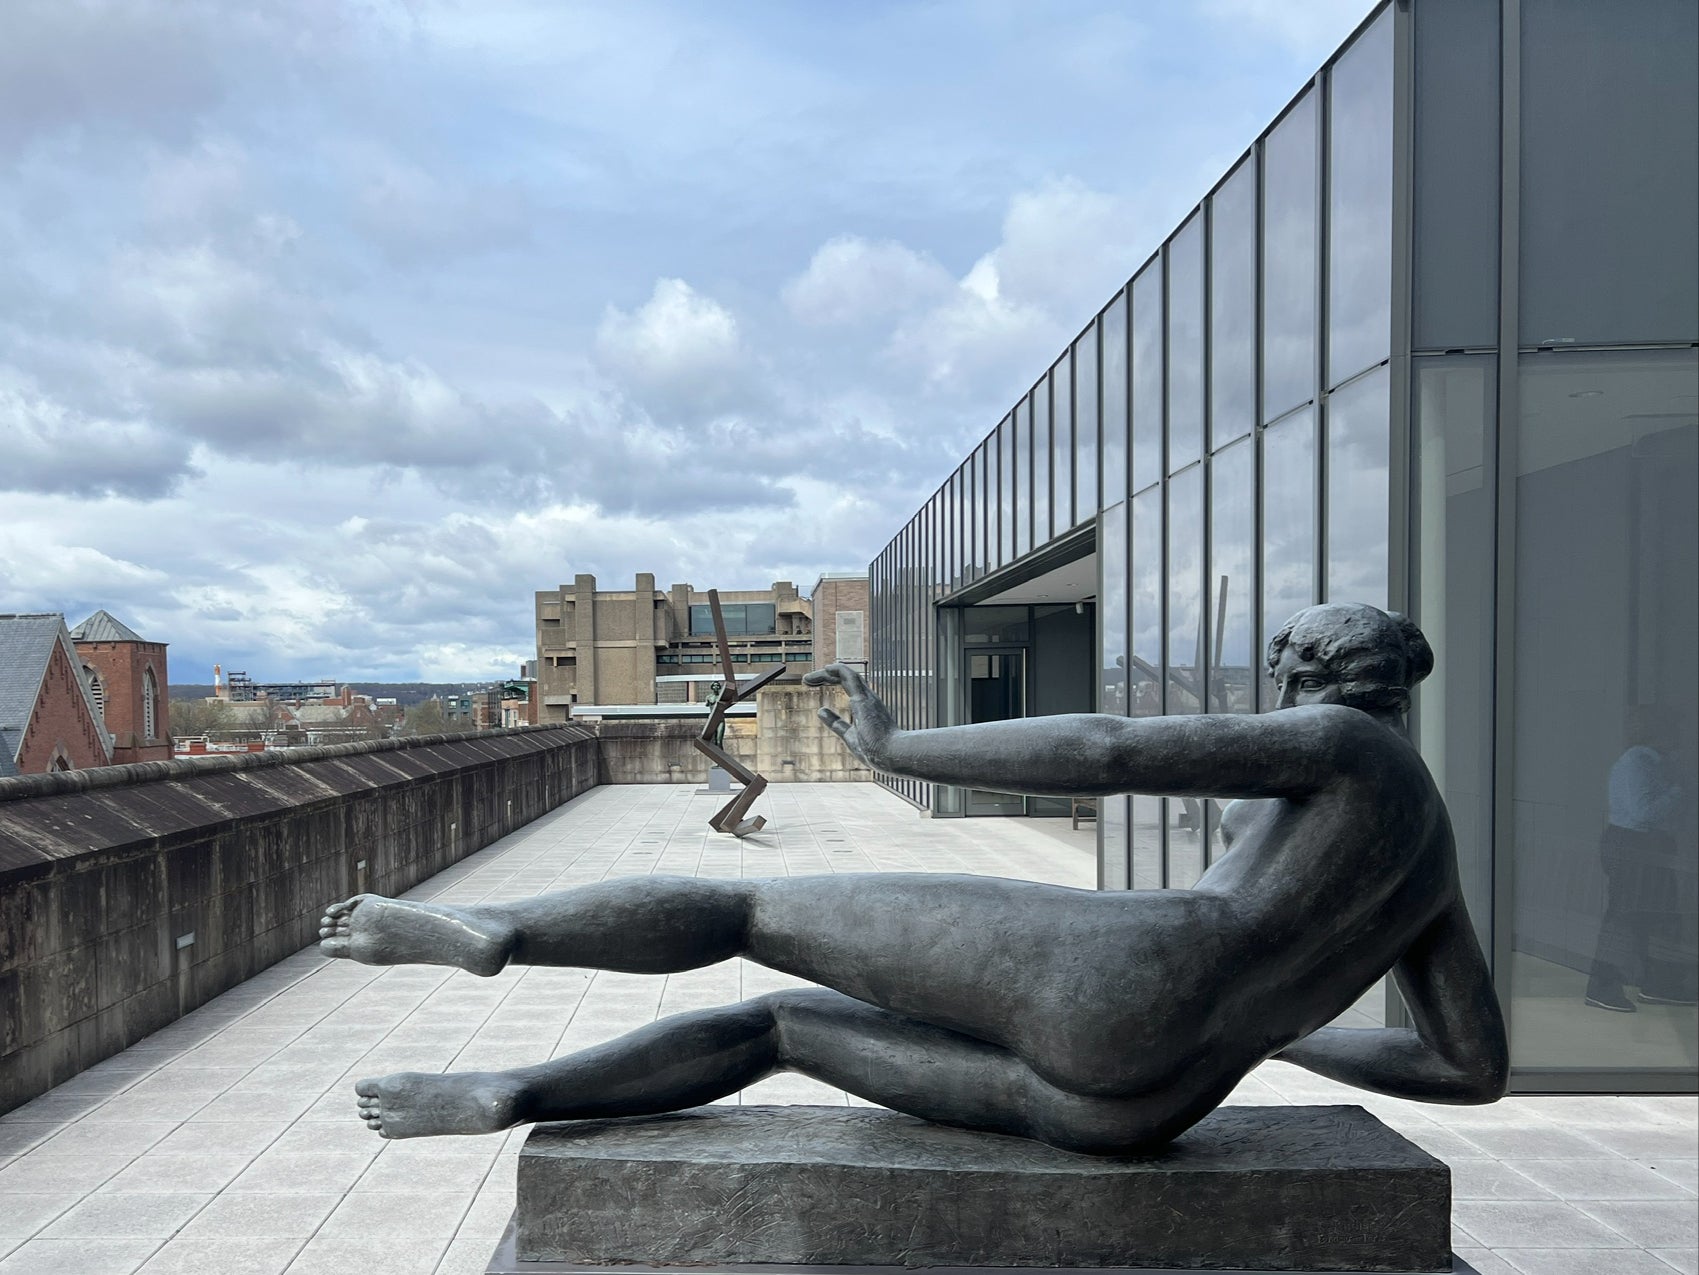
[(981, 956)]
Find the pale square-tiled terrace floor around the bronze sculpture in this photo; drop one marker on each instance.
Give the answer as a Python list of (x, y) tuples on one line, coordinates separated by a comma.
[(239, 1121)]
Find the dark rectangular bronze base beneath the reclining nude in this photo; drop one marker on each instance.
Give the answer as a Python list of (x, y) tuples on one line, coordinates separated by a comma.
[(1250, 1189)]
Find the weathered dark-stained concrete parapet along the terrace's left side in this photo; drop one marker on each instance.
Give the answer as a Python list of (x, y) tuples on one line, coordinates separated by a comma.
[(132, 895)]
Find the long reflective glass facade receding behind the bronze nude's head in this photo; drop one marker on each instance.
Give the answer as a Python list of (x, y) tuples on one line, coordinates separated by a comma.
[(1226, 421)]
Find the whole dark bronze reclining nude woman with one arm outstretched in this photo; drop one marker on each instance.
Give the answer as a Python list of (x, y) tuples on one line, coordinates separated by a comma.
[(1098, 1023)]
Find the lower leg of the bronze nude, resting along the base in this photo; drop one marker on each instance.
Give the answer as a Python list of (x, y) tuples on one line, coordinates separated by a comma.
[(697, 1058)]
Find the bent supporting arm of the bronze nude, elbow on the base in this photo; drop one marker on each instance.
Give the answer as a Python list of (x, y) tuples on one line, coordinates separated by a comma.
[(1455, 1053)]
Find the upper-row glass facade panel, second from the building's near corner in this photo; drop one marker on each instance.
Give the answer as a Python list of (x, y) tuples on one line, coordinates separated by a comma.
[(1289, 263)]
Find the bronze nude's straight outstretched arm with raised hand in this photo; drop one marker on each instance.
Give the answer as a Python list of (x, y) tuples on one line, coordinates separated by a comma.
[(1292, 754)]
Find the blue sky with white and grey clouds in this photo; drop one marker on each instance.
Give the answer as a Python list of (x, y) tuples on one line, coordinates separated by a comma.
[(329, 331)]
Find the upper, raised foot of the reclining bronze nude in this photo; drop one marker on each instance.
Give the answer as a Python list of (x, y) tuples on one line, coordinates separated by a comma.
[(390, 932)]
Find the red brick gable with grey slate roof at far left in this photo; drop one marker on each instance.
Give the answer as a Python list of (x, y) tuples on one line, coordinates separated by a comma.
[(50, 718)]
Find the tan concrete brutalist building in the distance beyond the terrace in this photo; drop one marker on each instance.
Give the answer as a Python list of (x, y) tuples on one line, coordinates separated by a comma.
[(636, 647)]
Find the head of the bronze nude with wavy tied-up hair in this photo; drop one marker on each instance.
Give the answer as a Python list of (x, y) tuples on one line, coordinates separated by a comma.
[(1348, 654)]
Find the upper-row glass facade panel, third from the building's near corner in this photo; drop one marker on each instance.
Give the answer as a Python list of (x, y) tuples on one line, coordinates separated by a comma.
[(1234, 307)]
